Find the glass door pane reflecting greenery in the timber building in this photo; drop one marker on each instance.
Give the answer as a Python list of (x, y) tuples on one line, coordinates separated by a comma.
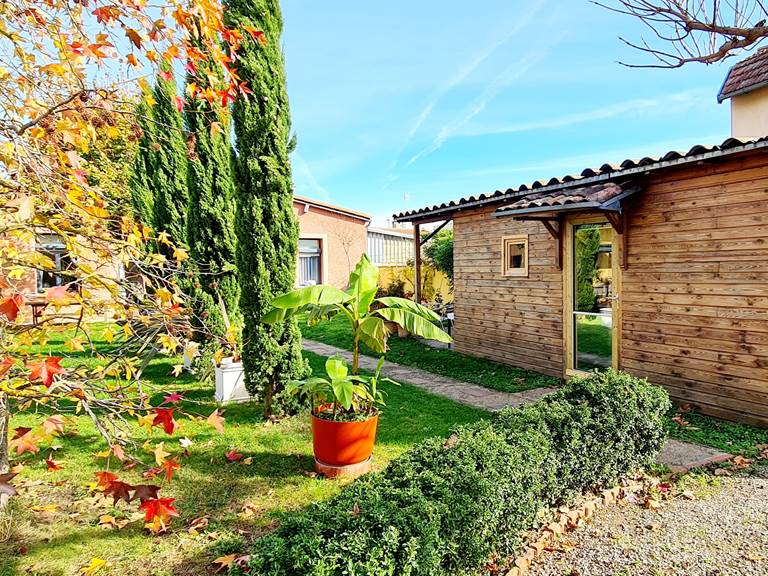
[(593, 302)]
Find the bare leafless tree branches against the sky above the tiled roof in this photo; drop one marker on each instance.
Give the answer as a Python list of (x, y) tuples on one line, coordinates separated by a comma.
[(685, 31)]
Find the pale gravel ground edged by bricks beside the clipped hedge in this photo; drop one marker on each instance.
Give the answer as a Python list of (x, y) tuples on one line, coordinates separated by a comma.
[(722, 531)]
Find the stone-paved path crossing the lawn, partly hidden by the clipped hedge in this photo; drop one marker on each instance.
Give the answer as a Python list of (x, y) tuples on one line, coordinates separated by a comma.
[(679, 456)]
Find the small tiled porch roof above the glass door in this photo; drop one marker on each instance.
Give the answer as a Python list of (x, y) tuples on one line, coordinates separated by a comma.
[(601, 197)]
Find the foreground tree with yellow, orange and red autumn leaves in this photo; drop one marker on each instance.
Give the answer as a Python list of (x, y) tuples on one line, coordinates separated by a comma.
[(60, 77)]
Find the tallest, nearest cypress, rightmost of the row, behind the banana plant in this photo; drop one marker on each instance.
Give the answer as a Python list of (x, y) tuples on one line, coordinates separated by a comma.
[(267, 230)]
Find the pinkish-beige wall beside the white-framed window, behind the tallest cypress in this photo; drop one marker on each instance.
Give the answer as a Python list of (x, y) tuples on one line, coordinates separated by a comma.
[(342, 239)]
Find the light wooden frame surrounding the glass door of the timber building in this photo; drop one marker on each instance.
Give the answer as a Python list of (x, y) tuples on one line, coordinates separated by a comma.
[(568, 328)]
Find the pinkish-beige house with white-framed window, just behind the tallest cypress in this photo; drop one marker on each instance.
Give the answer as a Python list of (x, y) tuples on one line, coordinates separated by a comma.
[(331, 241)]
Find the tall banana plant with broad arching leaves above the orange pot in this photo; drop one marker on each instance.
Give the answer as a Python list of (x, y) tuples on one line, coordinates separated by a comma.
[(367, 315)]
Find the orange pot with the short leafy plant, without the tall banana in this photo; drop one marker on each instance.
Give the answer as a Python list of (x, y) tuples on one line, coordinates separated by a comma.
[(345, 413)]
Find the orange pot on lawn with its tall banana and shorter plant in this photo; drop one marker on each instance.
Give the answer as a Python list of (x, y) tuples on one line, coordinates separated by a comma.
[(346, 397)]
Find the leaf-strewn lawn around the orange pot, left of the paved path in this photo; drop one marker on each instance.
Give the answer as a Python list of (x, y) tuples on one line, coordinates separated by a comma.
[(274, 480)]
